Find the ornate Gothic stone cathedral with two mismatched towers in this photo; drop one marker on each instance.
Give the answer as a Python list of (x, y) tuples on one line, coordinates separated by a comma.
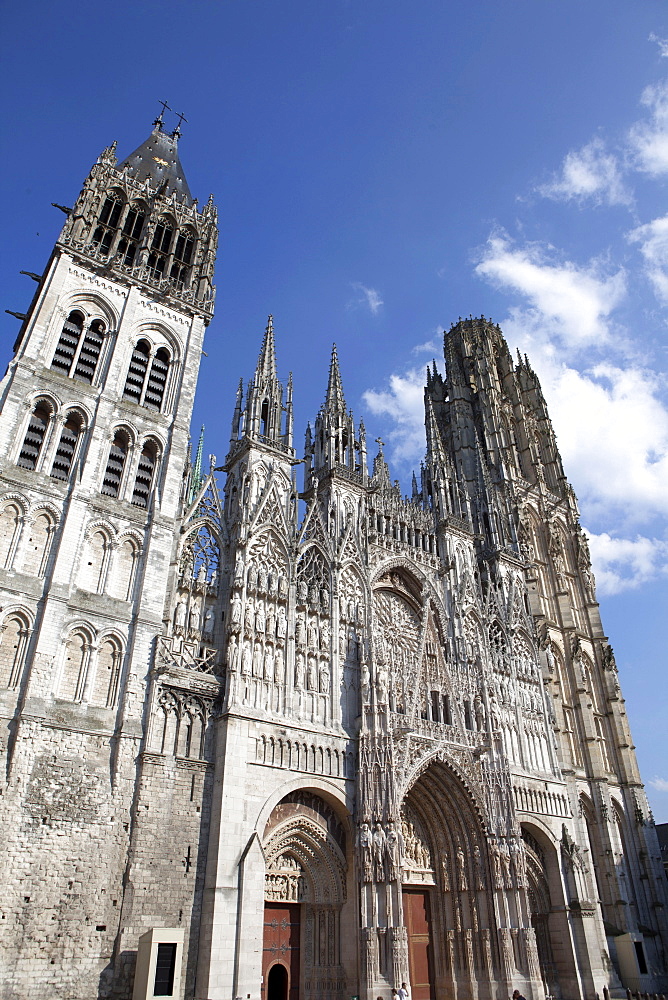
[(287, 734)]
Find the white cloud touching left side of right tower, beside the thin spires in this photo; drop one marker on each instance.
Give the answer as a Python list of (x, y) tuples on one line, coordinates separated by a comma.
[(403, 403)]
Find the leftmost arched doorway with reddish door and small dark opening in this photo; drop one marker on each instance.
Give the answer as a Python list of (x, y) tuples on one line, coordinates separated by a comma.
[(304, 845)]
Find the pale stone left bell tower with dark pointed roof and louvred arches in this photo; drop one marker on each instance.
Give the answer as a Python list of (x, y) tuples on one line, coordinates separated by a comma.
[(96, 406)]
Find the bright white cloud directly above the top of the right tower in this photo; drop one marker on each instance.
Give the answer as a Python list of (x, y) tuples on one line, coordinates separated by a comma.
[(575, 302)]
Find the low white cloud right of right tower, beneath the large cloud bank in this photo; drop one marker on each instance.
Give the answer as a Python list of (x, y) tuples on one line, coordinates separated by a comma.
[(626, 563)]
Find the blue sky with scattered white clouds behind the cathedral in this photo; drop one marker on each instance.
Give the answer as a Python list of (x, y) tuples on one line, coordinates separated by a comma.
[(380, 169)]
